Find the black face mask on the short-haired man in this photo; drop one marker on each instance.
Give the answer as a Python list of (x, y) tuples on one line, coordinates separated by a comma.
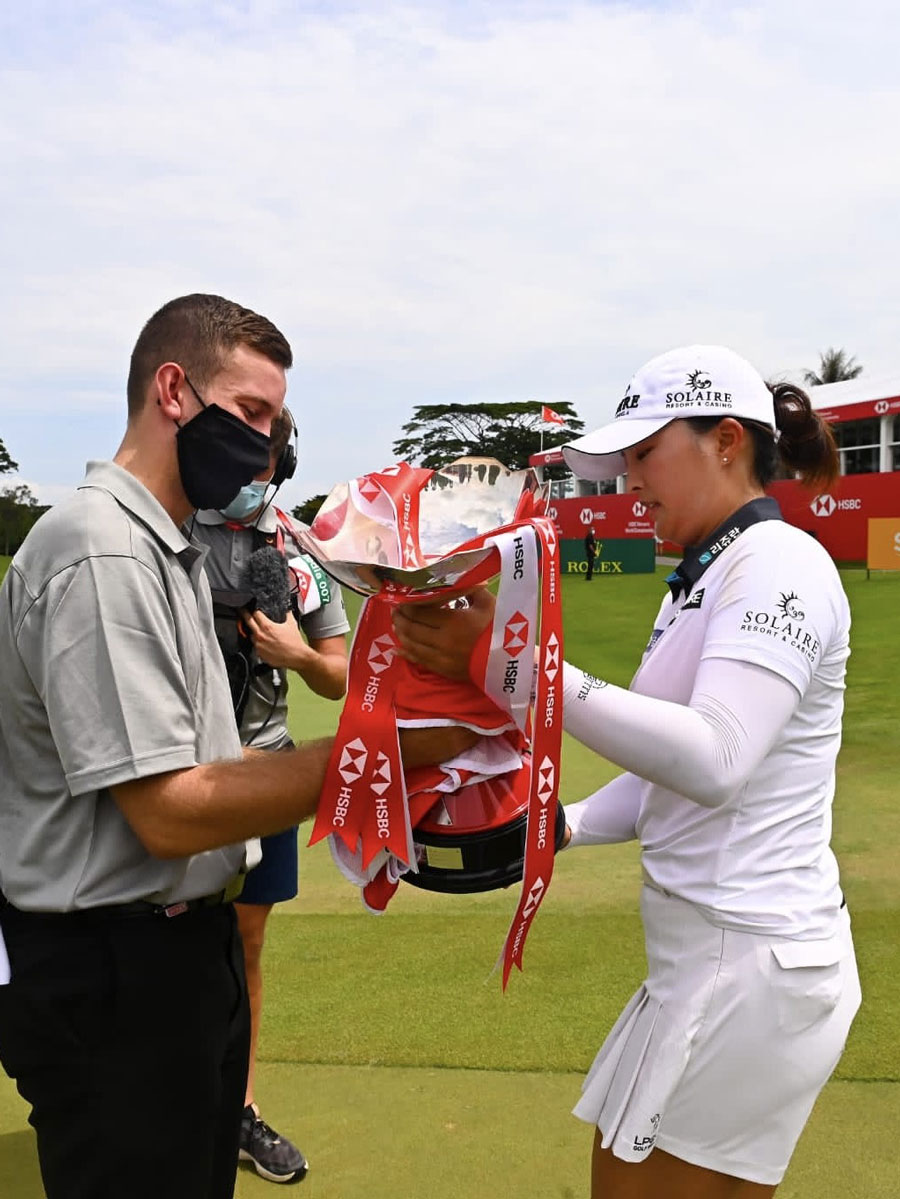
[(218, 455)]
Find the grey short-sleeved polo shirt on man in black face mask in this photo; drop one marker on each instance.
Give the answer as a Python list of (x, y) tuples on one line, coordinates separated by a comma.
[(111, 672)]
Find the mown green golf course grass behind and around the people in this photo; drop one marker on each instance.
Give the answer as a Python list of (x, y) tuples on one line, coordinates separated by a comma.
[(390, 1049)]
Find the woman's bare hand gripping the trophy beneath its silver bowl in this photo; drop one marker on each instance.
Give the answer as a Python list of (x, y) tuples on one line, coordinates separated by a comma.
[(440, 638)]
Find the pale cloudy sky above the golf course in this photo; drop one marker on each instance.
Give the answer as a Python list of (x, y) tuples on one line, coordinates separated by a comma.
[(438, 202)]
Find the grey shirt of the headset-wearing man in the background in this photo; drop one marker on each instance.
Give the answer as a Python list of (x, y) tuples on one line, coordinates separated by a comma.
[(265, 719)]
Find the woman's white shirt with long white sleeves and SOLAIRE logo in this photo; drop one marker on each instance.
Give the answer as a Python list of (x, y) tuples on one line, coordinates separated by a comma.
[(729, 736)]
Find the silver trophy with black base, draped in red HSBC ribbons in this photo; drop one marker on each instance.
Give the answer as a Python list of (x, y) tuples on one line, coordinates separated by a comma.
[(490, 817)]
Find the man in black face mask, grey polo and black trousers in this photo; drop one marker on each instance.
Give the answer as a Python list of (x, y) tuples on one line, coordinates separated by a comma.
[(126, 809)]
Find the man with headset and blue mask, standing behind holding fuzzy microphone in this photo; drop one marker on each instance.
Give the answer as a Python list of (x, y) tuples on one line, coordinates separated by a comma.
[(261, 653)]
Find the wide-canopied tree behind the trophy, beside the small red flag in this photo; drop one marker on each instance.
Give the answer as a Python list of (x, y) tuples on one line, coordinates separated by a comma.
[(511, 433)]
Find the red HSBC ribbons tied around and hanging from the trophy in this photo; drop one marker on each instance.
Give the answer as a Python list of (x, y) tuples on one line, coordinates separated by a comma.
[(364, 799)]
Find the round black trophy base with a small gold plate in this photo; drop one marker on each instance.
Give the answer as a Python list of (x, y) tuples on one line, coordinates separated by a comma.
[(464, 864)]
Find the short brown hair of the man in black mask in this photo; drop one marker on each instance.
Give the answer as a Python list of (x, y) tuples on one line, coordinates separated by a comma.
[(198, 333)]
